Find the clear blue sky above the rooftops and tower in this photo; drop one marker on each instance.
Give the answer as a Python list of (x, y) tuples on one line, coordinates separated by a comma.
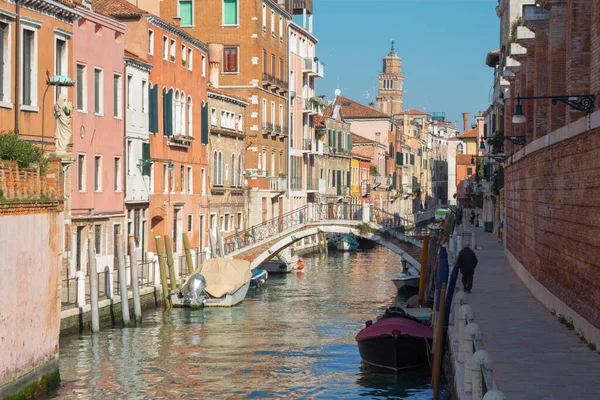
[(442, 43)]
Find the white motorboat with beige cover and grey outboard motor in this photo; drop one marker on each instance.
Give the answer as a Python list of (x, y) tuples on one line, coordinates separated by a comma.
[(218, 282)]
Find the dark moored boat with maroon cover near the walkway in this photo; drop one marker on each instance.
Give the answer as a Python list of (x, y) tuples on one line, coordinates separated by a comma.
[(396, 341)]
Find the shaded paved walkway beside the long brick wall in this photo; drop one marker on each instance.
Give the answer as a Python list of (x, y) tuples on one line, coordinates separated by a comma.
[(534, 355)]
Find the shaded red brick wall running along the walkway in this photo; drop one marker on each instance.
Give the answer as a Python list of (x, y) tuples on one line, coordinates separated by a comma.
[(553, 220)]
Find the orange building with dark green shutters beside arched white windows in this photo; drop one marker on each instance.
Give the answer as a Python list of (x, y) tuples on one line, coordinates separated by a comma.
[(178, 122)]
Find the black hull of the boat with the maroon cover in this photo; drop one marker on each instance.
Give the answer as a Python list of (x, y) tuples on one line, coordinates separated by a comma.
[(396, 353)]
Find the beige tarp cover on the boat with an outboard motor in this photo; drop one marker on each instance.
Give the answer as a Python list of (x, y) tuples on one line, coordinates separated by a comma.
[(224, 275)]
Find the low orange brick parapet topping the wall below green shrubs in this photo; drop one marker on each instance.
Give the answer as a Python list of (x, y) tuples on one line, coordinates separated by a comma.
[(27, 184)]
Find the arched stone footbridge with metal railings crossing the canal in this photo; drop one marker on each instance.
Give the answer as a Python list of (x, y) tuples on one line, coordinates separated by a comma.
[(261, 243)]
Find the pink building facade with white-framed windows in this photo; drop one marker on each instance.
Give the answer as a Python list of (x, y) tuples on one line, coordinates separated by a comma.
[(98, 141)]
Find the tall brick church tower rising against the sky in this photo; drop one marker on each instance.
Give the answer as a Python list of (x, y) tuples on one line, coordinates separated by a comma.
[(389, 94)]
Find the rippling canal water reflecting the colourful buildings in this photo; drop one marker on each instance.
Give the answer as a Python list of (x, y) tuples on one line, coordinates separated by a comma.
[(292, 338)]
